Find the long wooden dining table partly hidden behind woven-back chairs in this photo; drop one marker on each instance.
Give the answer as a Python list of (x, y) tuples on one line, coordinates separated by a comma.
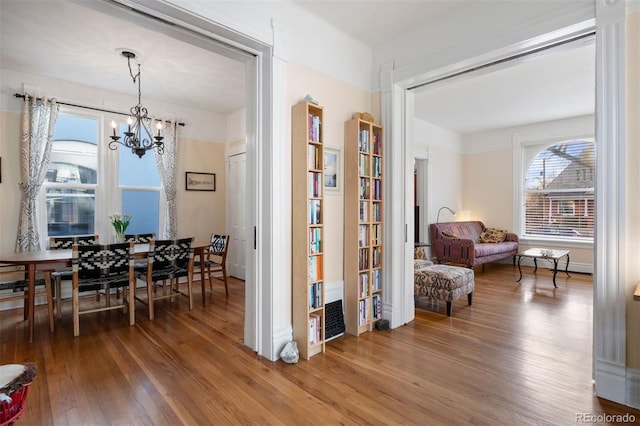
[(48, 260)]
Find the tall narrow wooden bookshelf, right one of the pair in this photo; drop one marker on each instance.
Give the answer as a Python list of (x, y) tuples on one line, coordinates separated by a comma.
[(363, 216)]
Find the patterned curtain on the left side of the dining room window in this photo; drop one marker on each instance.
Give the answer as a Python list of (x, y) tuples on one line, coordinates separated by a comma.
[(38, 121)]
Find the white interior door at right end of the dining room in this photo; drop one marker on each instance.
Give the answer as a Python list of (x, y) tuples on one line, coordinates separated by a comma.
[(237, 219)]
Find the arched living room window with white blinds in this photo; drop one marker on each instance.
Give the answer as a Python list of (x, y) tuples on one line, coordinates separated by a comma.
[(559, 190)]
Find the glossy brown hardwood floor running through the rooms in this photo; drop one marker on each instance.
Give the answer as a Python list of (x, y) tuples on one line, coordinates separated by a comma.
[(521, 354)]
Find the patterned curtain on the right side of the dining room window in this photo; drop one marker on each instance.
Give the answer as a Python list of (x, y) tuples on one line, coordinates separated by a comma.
[(167, 168)]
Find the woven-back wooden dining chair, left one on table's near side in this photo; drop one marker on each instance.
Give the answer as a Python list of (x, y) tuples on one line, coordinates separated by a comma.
[(102, 268)]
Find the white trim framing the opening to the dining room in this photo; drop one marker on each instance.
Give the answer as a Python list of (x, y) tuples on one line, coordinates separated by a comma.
[(260, 117)]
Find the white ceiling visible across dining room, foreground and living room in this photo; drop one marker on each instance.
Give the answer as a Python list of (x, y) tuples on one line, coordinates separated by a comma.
[(200, 74)]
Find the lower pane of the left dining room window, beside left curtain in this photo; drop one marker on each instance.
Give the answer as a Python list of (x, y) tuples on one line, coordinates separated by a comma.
[(70, 211)]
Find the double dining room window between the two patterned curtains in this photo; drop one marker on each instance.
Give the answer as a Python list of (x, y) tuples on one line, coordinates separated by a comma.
[(80, 191)]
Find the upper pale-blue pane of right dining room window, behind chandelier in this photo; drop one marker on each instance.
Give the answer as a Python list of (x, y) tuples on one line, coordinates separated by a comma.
[(135, 171)]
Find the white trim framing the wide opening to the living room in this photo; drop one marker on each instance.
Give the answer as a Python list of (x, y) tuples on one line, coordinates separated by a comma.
[(609, 352)]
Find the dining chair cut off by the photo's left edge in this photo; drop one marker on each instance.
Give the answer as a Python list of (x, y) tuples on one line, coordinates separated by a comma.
[(19, 290)]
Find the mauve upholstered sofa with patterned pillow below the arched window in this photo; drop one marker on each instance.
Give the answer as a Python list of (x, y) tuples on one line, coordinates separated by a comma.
[(467, 243)]
